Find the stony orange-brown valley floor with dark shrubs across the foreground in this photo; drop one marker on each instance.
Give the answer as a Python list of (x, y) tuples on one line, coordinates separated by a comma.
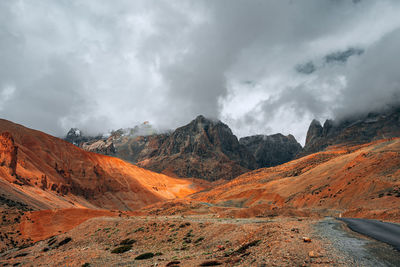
[(204, 240)]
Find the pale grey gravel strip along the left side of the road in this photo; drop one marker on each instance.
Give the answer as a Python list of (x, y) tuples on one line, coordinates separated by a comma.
[(354, 249)]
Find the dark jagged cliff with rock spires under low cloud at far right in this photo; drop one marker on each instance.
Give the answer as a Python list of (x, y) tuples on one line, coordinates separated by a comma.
[(352, 131)]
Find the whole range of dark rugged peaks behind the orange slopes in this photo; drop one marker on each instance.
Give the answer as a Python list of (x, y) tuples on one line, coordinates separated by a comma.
[(208, 149)]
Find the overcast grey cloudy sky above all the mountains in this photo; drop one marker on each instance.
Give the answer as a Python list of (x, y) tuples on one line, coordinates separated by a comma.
[(262, 67)]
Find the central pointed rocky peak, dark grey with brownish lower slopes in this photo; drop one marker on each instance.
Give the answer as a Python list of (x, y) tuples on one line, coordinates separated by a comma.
[(203, 149)]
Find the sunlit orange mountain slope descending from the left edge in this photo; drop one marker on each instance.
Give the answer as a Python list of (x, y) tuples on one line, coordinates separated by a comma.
[(46, 172)]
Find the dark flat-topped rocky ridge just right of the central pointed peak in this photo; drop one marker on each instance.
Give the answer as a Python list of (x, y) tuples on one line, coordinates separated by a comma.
[(271, 150)]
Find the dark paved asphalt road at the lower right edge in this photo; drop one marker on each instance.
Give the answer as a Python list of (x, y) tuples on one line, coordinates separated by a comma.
[(382, 231)]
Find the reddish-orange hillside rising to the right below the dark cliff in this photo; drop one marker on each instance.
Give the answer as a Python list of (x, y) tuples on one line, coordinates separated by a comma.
[(362, 181)]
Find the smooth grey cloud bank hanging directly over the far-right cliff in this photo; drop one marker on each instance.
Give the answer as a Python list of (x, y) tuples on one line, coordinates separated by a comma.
[(374, 80)]
